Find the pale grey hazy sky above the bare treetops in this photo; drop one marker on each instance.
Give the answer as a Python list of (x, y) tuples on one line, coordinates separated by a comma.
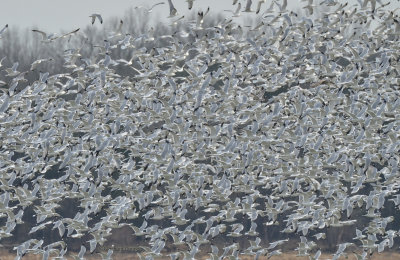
[(56, 15)]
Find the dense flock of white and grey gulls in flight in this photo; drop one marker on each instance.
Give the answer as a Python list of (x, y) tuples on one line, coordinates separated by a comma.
[(218, 135)]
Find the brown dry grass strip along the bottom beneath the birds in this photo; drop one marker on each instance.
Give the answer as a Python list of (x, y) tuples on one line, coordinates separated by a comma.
[(5, 255)]
